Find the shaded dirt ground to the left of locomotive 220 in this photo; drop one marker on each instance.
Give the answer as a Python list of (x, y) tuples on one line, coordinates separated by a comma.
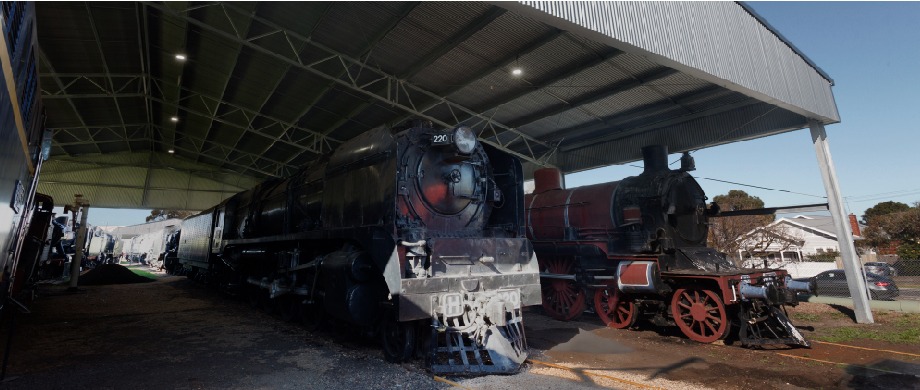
[(175, 334)]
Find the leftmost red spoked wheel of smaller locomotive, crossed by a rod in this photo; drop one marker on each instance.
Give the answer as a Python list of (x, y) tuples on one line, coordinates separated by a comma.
[(563, 299)]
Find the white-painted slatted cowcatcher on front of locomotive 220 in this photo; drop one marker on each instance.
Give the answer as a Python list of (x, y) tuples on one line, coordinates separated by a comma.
[(486, 338)]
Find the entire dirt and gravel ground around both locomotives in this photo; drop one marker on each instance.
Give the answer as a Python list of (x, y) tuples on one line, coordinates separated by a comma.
[(174, 333)]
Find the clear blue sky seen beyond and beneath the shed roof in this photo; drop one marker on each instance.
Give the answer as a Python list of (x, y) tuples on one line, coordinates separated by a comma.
[(872, 52)]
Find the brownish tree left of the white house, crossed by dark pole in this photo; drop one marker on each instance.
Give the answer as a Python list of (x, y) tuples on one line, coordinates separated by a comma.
[(724, 233)]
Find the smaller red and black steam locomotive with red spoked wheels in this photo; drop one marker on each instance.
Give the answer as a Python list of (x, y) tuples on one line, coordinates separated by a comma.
[(639, 245)]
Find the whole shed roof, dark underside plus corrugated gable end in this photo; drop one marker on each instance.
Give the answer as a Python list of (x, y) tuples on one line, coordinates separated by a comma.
[(269, 87)]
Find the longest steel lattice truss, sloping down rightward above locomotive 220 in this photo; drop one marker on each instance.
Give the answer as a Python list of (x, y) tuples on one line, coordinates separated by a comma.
[(370, 77)]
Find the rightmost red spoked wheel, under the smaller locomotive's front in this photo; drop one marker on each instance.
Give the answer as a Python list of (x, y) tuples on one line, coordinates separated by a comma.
[(700, 314)]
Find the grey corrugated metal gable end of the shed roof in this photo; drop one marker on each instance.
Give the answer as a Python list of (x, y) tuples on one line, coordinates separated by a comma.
[(691, 37)]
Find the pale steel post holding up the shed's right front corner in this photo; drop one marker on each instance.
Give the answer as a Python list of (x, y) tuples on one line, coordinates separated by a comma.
[(855, 280)]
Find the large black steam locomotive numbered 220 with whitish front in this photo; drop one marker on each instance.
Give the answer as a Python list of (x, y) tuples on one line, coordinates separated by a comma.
[(416, 233)]
